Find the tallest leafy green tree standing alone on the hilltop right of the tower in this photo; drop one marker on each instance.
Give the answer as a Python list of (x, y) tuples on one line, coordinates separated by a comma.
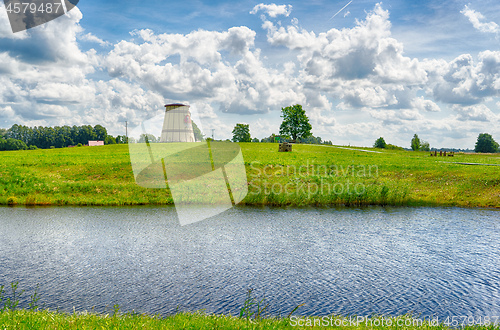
[(295, 122)]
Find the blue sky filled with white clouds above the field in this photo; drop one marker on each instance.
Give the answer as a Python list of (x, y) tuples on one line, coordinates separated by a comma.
[(360, 69)]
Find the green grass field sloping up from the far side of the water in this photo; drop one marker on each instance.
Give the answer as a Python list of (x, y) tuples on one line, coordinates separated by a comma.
[(310, 175)]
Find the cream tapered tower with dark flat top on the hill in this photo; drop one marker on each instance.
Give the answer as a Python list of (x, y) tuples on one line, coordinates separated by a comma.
[(177, 125)]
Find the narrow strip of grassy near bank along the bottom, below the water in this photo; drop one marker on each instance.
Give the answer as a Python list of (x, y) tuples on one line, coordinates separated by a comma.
[(26, 319)]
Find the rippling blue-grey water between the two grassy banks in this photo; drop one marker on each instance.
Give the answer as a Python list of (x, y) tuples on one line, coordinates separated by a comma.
[(432, 261)]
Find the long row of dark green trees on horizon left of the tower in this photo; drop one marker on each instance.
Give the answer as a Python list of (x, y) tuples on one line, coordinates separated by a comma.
[(20, 137)]
